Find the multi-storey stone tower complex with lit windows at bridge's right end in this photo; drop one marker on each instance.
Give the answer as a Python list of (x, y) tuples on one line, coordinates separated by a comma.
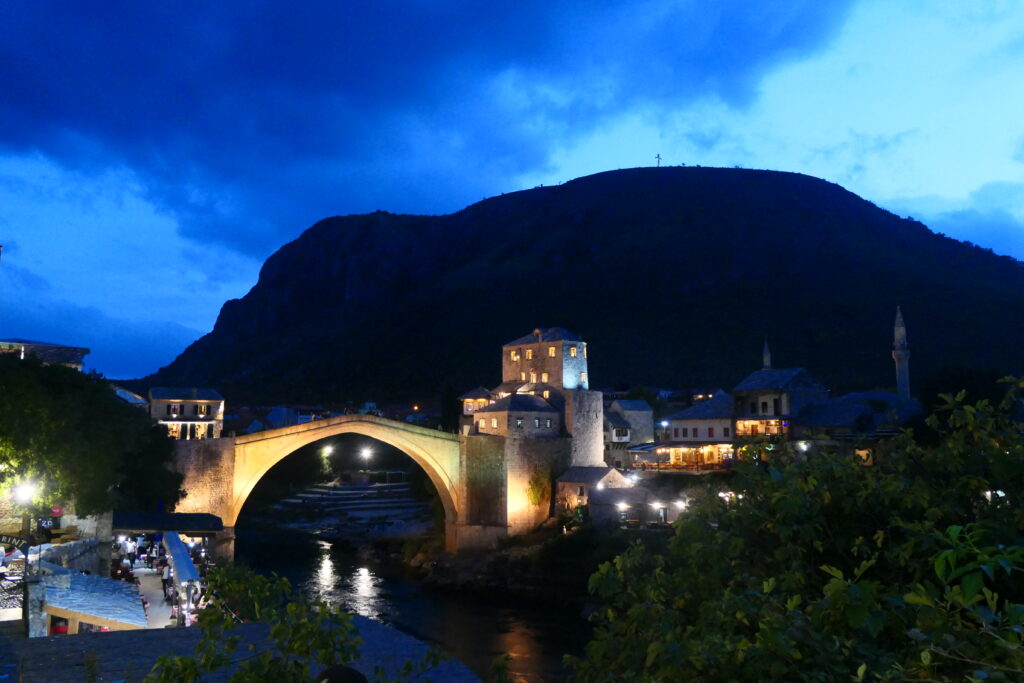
[(541, 420)]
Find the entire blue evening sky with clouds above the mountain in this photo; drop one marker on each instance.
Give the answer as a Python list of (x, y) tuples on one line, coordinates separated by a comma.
[(153, 155)]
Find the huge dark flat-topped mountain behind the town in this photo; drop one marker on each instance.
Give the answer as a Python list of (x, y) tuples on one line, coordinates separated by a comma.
[(674, 276)]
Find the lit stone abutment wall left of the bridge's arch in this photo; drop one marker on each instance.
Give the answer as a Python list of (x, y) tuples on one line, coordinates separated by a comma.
[(208, 466)]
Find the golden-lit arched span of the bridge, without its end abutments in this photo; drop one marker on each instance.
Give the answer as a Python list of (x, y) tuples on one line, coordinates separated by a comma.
[(436, 452)]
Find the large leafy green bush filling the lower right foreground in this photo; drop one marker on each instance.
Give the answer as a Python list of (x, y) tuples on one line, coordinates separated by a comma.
[(831, 571)]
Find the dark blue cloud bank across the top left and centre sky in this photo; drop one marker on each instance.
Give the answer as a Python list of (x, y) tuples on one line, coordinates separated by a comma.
[(249, 121)]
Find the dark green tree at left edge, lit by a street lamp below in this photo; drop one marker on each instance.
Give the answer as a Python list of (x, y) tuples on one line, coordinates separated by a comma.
[(70, 433)]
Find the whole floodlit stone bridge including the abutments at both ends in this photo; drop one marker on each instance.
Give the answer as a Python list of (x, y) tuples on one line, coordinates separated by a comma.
[(486, 483)]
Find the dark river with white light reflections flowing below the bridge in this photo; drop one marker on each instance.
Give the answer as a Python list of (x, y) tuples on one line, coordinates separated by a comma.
[(475, 629)]
